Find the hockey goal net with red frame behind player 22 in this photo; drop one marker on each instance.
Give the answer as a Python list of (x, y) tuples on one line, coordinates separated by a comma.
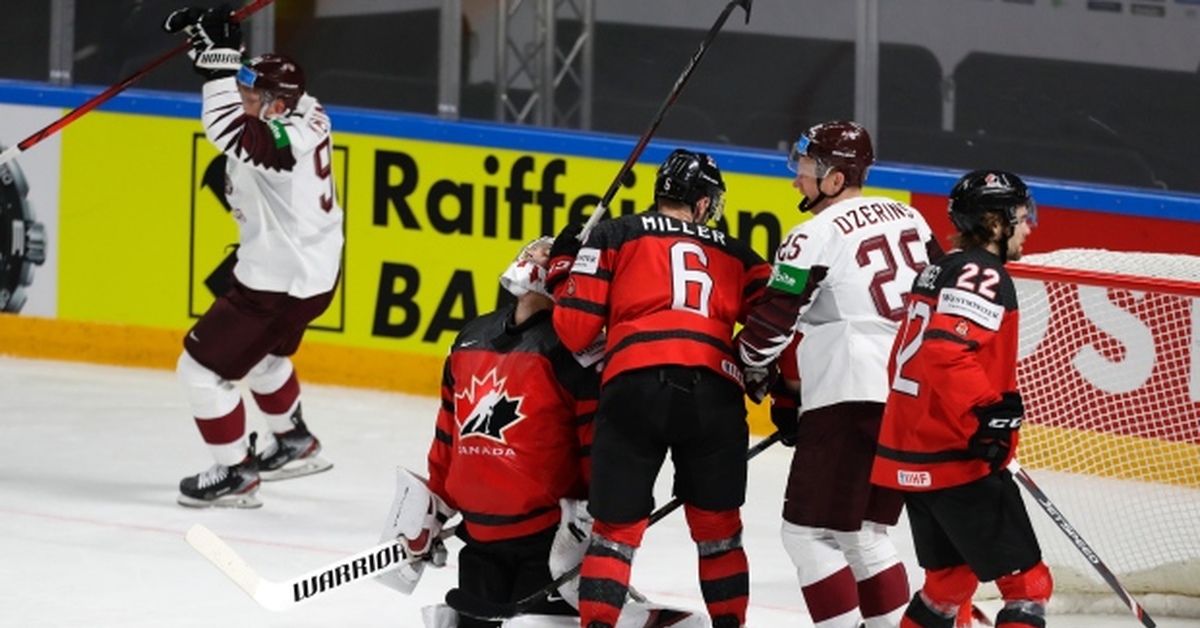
[(1109, 368)]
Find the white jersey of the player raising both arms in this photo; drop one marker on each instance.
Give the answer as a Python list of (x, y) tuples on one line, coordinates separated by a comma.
[(280, 186)]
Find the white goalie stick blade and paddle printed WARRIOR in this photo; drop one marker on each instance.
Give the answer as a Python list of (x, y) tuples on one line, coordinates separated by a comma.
[(290, 594)]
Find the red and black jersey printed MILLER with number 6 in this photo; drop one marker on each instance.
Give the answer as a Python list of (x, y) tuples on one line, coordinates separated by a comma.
[(670, 292)]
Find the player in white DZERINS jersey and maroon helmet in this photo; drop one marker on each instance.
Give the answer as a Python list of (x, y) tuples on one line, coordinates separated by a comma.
[(839, 279)]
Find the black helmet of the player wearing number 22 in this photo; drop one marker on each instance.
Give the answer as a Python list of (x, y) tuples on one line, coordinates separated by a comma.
[(982, 192)]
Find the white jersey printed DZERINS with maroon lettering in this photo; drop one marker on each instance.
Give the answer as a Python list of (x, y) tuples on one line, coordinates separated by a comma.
[(866, 253)]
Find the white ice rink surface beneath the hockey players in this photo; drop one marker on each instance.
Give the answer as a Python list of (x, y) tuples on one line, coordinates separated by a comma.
[(91, 534)]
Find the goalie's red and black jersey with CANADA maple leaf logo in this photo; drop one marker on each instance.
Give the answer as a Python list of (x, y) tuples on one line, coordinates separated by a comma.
[(514, 433)]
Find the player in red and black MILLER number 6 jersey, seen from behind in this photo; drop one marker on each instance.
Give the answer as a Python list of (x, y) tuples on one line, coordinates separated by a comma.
[(668, 290)]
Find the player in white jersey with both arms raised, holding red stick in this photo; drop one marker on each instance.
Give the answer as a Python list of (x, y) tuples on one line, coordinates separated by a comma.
[(279, 183)]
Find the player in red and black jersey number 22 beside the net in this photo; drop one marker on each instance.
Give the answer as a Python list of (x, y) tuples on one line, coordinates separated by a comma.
[(953, 415)]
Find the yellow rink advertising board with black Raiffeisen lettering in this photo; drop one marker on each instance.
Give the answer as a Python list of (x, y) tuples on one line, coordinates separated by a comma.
[(147, 238)]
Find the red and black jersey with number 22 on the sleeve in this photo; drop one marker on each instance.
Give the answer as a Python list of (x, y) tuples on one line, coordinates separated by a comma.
[(956, 351)]
